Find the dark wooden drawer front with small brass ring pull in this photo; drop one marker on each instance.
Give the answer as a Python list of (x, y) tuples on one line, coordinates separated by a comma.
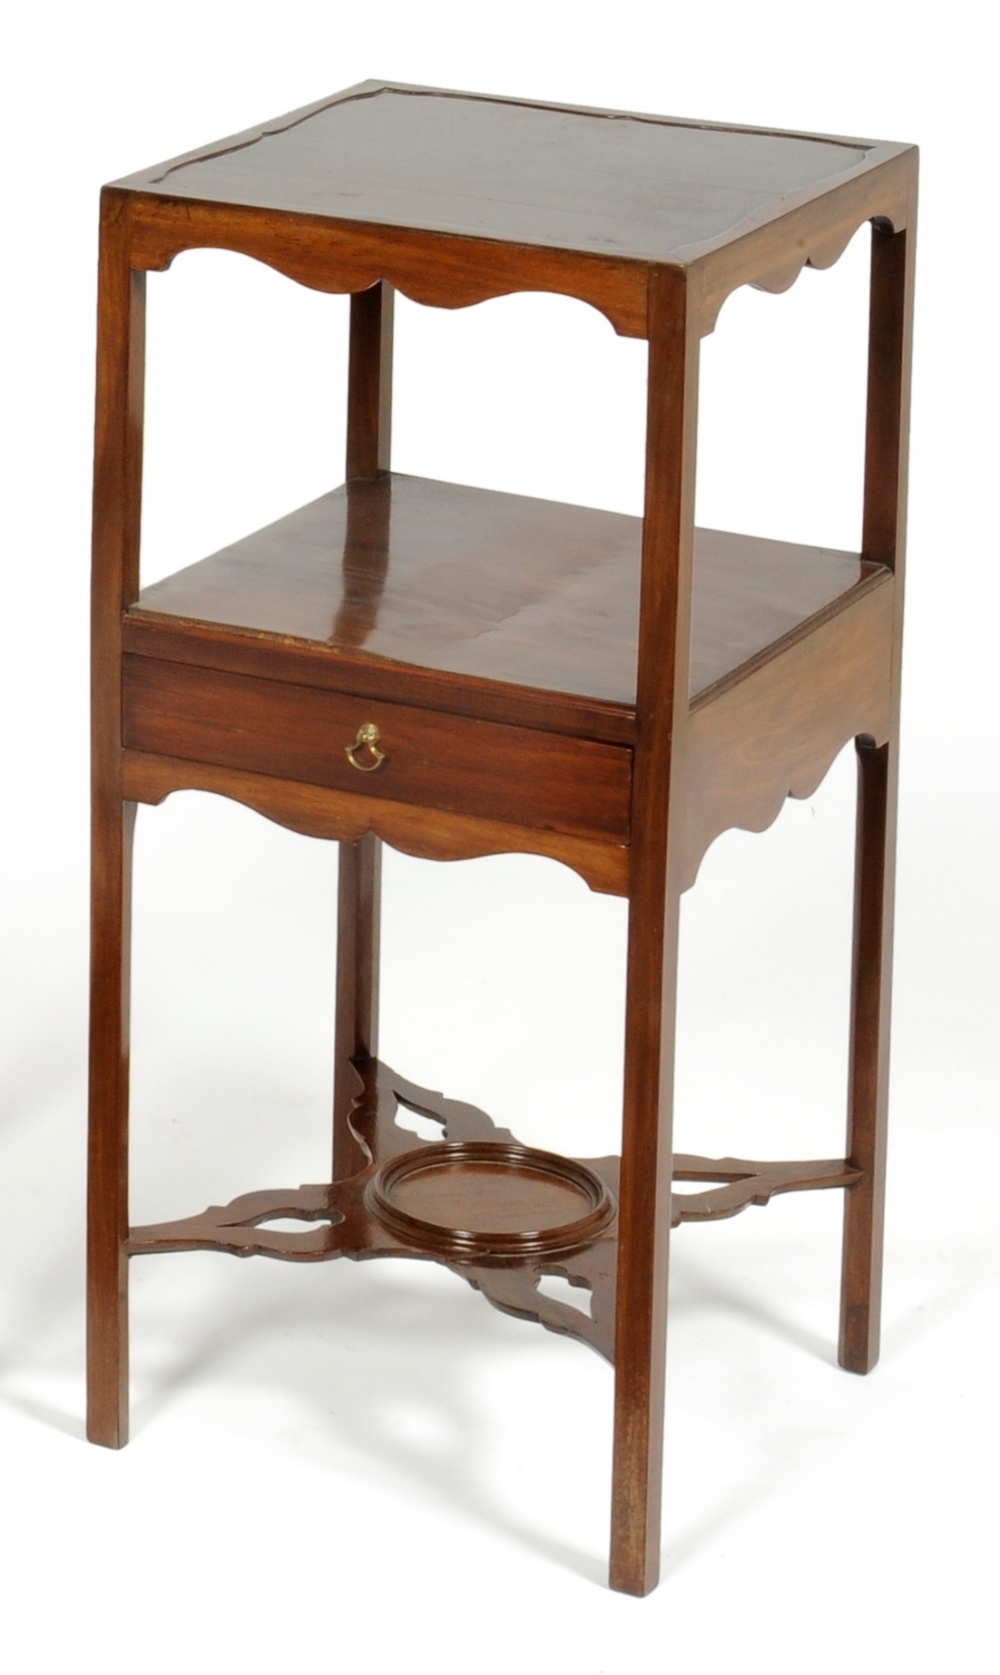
[(438, 761)]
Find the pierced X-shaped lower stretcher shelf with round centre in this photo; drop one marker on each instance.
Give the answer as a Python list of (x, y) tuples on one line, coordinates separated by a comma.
[(502, 1215)]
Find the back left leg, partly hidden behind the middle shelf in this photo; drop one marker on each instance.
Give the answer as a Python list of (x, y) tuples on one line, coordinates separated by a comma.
[(359, 890)]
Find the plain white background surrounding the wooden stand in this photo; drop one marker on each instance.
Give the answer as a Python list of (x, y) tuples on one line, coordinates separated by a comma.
[(344, 1463)]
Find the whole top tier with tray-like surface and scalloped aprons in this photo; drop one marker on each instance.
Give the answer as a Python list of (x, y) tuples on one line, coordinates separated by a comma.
[(729, 205)]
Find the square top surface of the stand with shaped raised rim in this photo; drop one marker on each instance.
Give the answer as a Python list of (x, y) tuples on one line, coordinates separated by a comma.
[(594, 182)]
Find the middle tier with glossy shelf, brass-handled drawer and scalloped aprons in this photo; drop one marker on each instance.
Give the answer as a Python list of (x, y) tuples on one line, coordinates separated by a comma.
[(490, 644)]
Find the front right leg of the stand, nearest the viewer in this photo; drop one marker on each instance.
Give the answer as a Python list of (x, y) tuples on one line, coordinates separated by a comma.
[(662, 703)]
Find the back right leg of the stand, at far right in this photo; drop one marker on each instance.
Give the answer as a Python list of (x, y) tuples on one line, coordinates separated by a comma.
[(884, 540)]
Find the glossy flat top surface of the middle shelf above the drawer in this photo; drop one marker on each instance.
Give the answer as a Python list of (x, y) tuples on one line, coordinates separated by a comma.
[(497, 587)]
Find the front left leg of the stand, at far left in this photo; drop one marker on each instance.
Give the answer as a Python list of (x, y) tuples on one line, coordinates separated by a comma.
[(118, 487)]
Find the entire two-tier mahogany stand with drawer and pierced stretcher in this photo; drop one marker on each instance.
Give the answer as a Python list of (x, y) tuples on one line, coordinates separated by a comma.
[(461, 673)]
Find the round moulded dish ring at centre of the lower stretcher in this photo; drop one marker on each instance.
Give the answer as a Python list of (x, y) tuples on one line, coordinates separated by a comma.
[(488, 1198)]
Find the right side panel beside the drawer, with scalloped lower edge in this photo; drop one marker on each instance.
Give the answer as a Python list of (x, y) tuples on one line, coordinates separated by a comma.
[(776, 733)]
